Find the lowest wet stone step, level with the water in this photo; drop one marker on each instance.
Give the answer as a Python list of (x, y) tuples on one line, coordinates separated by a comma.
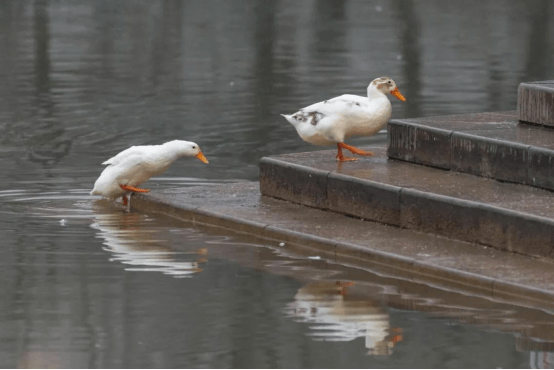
[(240, 207)]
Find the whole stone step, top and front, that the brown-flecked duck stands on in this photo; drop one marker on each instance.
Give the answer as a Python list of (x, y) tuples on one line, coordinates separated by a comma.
[(506, 216)]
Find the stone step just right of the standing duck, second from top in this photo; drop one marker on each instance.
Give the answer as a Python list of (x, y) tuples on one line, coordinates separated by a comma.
[(494, 145)]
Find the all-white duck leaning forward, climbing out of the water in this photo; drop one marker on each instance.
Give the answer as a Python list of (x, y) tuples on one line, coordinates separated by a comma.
[(137, 164)]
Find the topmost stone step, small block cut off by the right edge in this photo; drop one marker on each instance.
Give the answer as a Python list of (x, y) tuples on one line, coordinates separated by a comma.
[(535, 102)]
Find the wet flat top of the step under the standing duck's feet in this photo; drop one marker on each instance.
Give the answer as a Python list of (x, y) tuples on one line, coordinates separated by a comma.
[(380, 169)]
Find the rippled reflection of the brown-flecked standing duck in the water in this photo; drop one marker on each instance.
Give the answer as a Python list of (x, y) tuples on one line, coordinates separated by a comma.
[(340, 317)]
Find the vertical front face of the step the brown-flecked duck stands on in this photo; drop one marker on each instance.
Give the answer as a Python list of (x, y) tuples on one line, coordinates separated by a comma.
[(408, 208)]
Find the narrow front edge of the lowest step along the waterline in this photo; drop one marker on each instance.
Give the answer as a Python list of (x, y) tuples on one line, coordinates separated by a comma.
[(347, 253)]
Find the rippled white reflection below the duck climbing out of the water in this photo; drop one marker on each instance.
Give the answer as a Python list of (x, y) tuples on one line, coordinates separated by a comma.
[(134, 242)]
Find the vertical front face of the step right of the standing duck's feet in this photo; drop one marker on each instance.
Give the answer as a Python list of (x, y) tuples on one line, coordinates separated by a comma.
[(467, 153)]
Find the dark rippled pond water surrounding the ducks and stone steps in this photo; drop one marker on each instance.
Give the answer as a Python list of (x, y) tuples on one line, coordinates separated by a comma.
[(88, 284)]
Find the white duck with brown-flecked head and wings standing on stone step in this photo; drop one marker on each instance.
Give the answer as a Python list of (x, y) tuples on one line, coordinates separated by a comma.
[(334, 120)]
